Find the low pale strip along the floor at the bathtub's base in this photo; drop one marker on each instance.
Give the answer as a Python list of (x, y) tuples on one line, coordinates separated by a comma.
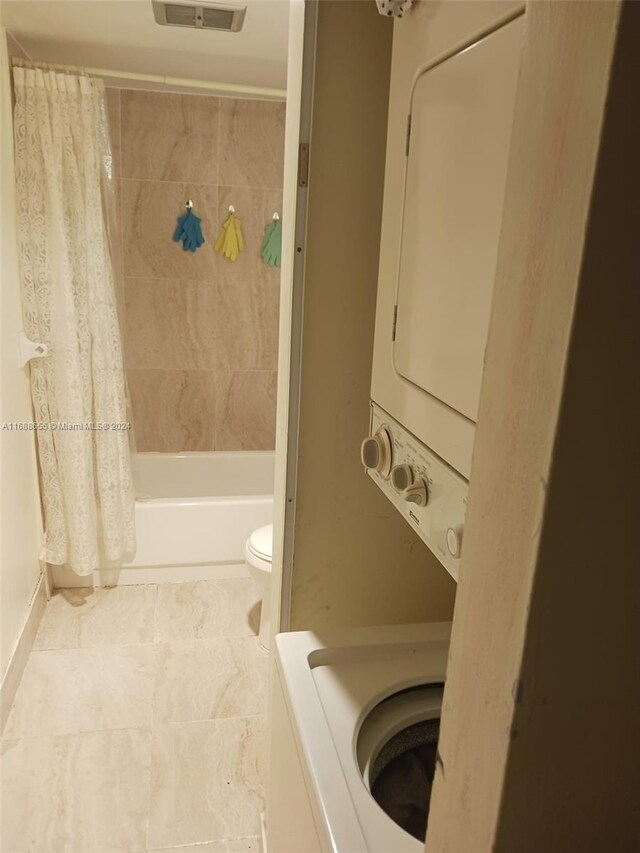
[(64, 578)]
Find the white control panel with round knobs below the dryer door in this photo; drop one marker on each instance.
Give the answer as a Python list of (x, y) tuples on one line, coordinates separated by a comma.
[(429, 493)]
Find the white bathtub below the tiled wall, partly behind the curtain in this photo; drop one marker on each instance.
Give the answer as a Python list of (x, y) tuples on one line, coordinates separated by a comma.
[(194, 512)]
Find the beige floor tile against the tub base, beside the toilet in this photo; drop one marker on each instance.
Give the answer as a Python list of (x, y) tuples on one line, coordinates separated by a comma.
[(205, 609)]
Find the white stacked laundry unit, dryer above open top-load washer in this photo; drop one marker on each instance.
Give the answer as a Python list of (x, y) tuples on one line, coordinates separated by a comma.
[(355, 715)]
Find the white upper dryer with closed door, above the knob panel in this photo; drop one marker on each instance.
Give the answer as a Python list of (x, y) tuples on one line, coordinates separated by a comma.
[(454, 75)]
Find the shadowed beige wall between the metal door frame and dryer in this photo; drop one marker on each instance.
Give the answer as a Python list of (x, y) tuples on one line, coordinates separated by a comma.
[(356, 561)]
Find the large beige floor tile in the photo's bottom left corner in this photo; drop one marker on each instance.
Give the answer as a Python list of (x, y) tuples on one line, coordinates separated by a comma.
[(76, 794)]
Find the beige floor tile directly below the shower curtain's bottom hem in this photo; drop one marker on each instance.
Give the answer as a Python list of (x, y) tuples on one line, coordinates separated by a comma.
[(80, 618)]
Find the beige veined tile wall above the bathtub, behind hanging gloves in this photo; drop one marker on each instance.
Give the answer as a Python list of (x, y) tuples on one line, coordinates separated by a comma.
[(200, 332)]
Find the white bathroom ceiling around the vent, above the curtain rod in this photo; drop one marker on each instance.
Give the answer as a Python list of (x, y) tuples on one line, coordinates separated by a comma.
[(122, 35)]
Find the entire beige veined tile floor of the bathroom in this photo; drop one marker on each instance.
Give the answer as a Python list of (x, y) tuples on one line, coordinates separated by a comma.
[(139, 724)]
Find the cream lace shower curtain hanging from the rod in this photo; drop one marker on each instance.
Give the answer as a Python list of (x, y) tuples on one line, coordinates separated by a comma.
[(63, 175)]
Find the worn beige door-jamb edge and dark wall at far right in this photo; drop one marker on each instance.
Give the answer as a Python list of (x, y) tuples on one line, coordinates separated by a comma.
[(539, 742)]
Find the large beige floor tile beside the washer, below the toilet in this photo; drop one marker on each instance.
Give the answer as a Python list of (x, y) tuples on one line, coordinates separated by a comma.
[(207, 781)]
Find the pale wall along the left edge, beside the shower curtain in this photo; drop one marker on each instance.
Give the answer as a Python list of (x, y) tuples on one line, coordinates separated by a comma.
[(20, 520)]
